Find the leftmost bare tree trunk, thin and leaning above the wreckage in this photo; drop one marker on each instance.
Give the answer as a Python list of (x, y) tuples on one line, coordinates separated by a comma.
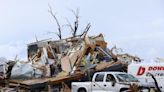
[(59, 27)]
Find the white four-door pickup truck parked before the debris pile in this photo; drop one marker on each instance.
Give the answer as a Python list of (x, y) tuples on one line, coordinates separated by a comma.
[(106, 82)]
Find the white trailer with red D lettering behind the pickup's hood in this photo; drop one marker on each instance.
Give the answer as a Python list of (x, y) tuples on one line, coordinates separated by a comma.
[(142, 72)]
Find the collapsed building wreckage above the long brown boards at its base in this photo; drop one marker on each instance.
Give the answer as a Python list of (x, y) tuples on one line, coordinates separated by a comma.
[(50, 58)]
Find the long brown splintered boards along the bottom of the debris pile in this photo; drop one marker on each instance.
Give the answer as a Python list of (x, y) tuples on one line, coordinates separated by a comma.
[(42, 82)]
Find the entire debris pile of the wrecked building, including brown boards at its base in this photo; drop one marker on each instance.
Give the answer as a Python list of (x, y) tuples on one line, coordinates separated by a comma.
[(56, 62)]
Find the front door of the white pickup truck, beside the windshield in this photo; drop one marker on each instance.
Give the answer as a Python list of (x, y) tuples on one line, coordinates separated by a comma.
[(110, 83)]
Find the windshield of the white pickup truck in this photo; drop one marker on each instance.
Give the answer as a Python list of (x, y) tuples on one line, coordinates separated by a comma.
[(126, 78)]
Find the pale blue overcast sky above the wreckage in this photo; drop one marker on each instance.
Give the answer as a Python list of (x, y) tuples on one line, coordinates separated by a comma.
[(137, 26)]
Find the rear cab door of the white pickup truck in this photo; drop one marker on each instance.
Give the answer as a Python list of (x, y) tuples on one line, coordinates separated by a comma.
[(97, 84)]
